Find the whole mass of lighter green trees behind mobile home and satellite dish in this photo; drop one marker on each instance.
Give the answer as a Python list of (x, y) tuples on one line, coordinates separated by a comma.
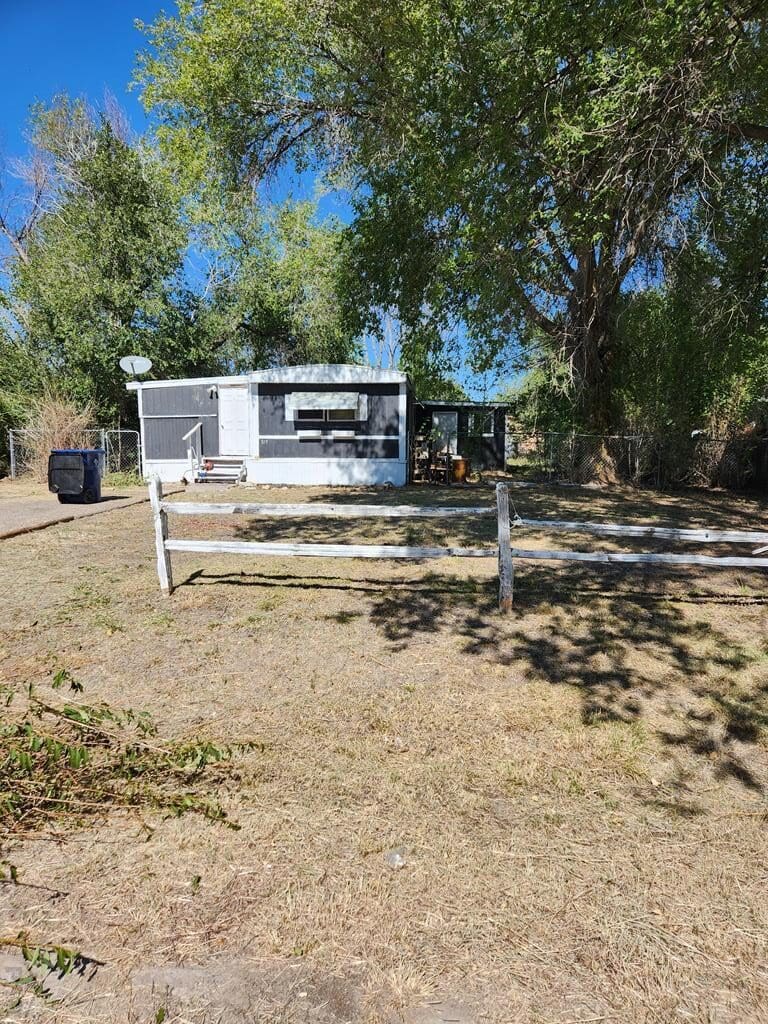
[(112, 252)]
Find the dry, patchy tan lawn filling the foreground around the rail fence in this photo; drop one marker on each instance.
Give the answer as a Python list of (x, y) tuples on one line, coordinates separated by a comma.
[(578, 790)]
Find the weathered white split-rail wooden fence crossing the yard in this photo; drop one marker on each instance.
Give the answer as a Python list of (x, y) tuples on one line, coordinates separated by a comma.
[(504, 550)]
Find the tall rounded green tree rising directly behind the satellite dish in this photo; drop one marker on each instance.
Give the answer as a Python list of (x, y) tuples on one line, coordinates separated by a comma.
[(101, 274)]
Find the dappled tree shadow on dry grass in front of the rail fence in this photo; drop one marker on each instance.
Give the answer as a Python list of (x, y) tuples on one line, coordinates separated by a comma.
[(630, 646)]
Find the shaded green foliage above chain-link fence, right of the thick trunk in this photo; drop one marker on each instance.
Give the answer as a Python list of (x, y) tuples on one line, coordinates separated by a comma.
[(694, 353)]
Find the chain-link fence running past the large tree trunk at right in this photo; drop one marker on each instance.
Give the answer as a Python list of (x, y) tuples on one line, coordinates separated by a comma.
[(699, 460)]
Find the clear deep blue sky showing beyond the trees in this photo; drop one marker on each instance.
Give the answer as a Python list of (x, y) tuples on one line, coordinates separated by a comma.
[(86, 49)]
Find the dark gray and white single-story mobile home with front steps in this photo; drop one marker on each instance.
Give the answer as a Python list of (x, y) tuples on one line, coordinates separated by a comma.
[(320, 424)]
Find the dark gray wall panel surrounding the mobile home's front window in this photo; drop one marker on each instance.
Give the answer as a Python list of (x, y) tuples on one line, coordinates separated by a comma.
[(383, 409)]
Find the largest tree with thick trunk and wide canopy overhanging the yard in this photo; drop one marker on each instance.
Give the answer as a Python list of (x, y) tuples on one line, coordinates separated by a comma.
[(510, 161)]
